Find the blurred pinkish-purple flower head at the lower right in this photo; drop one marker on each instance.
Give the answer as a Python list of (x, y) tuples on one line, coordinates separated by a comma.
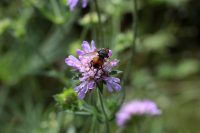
[(136, 108)]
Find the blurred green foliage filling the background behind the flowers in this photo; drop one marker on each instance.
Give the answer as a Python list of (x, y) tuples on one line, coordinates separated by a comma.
[(36, 36)]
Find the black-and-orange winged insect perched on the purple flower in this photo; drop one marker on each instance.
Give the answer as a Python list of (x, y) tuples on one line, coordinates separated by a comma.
[(98, 57)]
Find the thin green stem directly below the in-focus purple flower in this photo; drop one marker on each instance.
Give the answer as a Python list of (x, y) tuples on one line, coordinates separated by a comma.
[(103, 109)]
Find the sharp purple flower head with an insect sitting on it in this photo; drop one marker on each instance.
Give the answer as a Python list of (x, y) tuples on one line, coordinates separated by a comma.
[(90, 76)]
